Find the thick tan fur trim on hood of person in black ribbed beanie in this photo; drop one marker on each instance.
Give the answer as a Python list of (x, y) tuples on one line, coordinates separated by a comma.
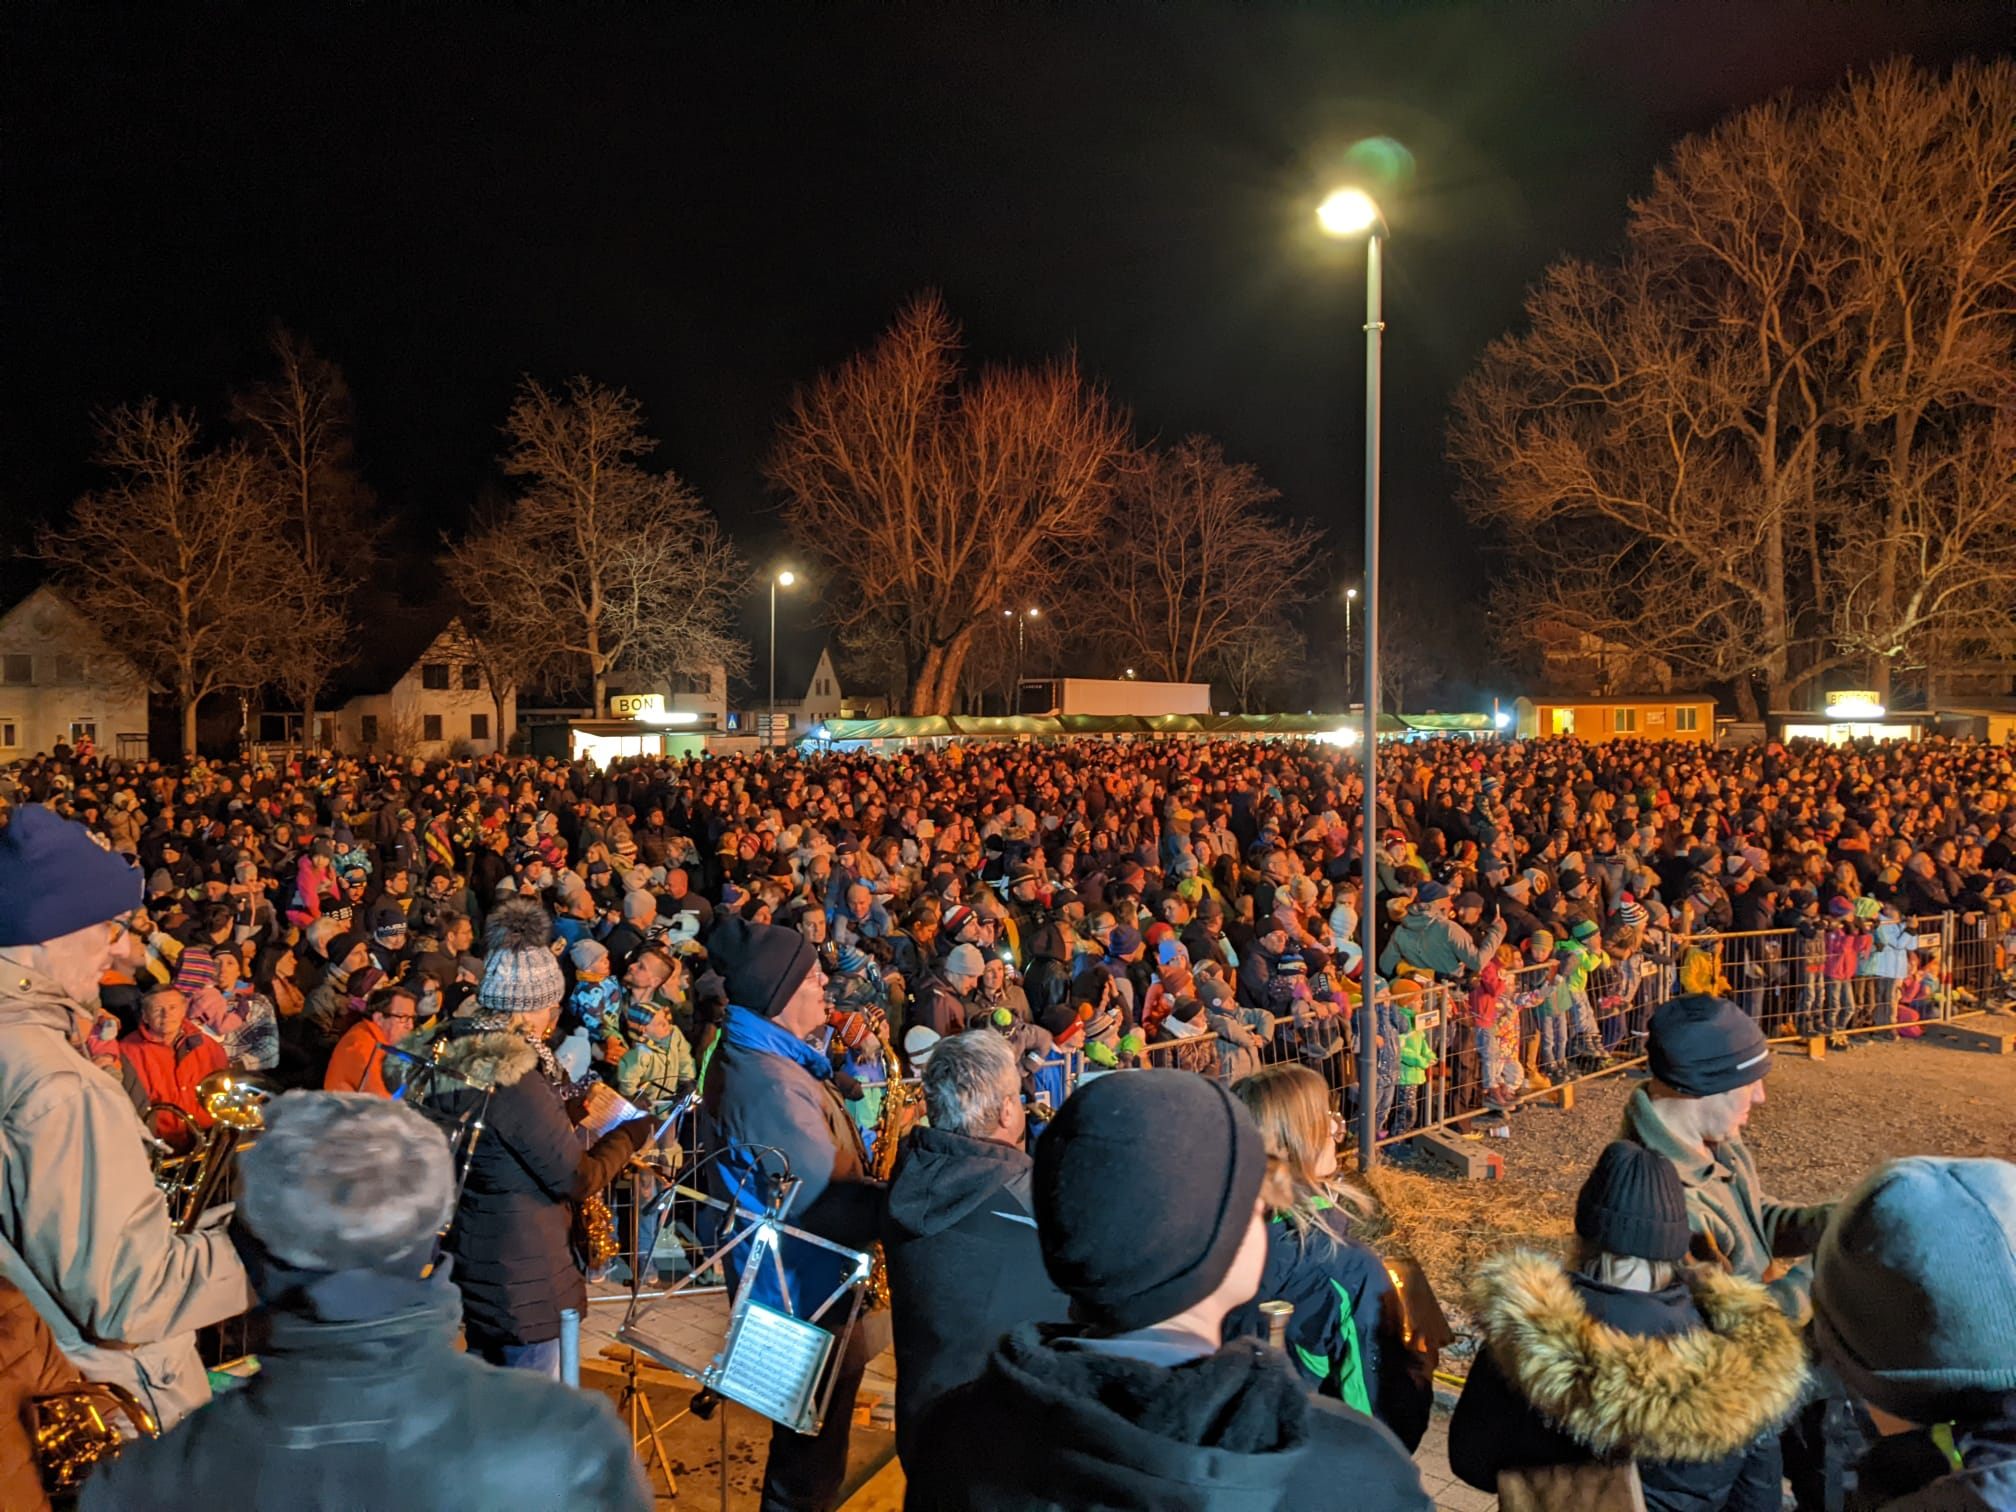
[(1690, 1398)]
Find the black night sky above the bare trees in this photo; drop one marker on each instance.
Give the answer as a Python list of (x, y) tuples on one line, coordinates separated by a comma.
[(711, 205)]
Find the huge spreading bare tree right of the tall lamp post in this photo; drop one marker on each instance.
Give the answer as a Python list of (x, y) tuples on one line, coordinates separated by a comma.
[(1731, 447)]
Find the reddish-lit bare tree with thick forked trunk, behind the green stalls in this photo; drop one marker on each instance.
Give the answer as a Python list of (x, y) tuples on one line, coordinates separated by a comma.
[(934, 499)]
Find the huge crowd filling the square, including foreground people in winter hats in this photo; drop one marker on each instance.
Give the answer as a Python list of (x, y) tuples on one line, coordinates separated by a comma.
[(1126, 981)]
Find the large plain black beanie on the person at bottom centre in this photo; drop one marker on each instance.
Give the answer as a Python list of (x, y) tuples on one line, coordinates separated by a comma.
[(1138, 1225)]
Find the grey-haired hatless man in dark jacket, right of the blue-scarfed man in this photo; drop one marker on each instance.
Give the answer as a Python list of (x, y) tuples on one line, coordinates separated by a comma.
[(961, 1231)]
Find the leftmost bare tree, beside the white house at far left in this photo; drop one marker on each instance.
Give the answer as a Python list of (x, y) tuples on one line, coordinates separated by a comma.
[(184, 551)]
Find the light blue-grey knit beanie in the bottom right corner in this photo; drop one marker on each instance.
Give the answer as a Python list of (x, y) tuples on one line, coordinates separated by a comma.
[(1914, 1287)]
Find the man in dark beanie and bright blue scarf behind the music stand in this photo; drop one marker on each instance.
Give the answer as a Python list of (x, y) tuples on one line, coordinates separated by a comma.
[(775, 1116)]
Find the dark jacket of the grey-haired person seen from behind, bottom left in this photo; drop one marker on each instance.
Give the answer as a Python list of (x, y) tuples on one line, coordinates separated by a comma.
[(384, 1414)]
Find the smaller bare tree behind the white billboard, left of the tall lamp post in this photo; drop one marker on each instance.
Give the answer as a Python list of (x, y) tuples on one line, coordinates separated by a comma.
[(1194, 559)]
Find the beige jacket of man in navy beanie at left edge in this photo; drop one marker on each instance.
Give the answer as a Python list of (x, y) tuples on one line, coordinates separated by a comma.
[(84, 1229)]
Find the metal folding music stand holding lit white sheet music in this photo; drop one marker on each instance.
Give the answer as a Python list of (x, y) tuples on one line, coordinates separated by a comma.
[(759, 1344)]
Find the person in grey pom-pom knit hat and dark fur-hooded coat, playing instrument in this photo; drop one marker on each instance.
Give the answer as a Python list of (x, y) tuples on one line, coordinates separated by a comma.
[(515, 1265)]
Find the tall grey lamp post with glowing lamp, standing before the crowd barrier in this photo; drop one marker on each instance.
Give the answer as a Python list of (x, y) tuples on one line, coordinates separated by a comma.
[(1354, 213)]
